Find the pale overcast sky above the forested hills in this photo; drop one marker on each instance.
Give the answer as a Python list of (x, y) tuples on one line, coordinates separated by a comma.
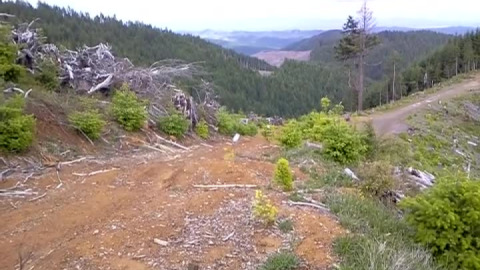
[(195, 15)]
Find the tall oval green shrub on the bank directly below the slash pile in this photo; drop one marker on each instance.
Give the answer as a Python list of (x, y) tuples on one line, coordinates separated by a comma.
[(127, 109)]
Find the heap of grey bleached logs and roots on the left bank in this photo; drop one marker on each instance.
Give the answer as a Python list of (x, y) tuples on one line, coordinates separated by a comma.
[(92, 69)]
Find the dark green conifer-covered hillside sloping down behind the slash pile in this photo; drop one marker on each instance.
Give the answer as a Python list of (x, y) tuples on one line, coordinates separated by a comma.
[(294, 89)]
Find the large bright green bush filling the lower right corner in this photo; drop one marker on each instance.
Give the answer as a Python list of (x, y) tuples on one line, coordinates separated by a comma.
[(446, 219)]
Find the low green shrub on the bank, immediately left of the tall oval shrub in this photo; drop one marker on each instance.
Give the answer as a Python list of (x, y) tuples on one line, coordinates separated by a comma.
[(89, 122)]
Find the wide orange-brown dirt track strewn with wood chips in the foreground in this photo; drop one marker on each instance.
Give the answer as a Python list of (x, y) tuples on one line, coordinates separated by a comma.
[(111, 220)]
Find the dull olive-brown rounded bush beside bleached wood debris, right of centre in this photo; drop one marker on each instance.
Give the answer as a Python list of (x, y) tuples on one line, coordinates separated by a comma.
[(376, 178)]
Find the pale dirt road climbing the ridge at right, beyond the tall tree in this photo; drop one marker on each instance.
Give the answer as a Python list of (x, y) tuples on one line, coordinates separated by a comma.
[(393, 122)]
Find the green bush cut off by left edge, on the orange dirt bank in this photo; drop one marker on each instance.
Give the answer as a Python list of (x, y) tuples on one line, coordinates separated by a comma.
[(16, 129)]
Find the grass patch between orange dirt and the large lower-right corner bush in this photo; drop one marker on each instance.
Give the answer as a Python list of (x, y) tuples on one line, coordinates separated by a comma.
[(380, 239)]
